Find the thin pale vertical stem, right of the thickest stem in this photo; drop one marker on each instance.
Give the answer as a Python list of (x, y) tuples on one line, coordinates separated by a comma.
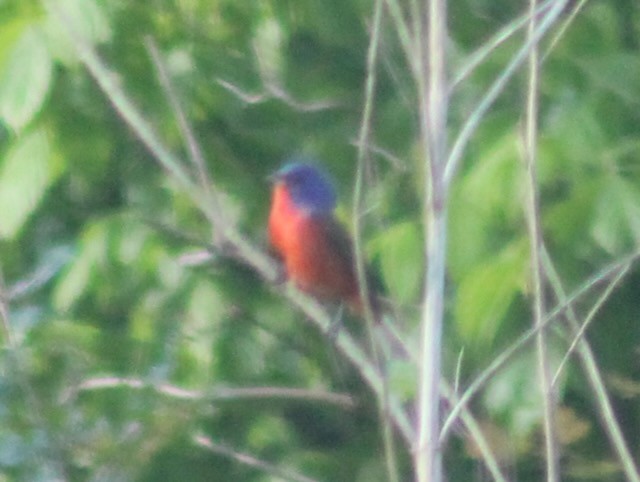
[(535, 235)]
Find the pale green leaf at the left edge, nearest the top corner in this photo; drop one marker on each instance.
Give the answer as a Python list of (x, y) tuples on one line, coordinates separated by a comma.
[(25, 79)]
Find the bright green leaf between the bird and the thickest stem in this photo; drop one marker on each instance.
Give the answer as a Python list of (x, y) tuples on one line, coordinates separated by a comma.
[(400, 249)]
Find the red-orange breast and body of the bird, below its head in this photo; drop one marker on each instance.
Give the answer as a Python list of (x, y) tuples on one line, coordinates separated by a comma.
[(315, 249)]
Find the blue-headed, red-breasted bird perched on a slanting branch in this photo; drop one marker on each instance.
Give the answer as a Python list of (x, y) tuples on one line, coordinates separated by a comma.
[(314, 247)]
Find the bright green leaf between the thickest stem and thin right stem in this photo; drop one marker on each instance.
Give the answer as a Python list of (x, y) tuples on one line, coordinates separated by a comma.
[(485, 294)]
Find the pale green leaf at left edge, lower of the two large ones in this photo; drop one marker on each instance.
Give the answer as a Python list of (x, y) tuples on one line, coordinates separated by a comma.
[(25, 174)]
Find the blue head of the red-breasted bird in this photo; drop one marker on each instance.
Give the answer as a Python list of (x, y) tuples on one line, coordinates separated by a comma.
[(308, 186)]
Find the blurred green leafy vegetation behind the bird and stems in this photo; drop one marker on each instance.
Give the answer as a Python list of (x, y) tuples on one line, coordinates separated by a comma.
[(123, 355)]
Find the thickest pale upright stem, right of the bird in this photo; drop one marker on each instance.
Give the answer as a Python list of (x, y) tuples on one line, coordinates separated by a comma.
[(433, 118)]
